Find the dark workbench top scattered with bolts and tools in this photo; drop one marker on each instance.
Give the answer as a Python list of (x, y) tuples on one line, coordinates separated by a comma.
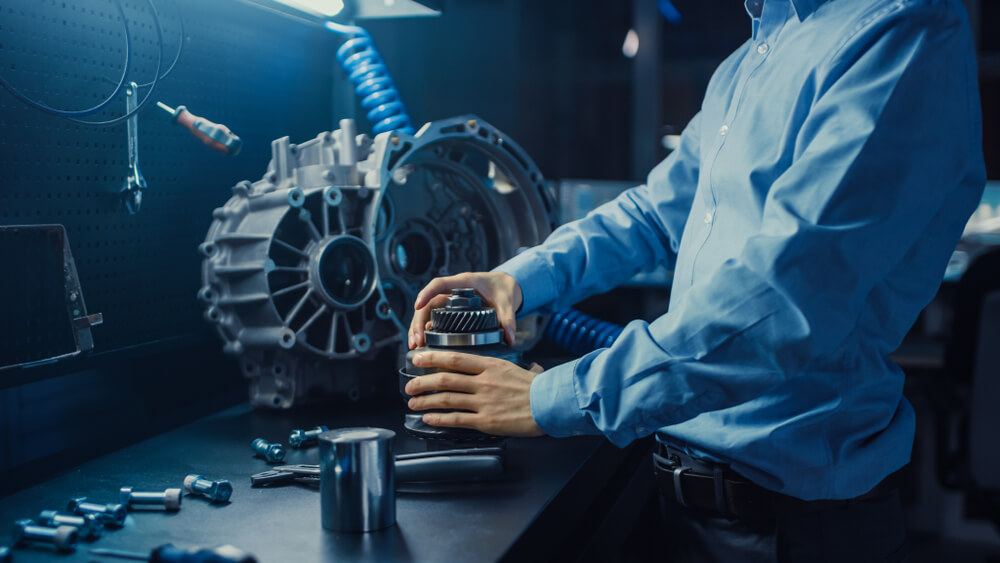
[(548, 484)]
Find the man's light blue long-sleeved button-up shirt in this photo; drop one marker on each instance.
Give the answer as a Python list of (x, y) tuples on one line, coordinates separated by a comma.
[(808, 215)]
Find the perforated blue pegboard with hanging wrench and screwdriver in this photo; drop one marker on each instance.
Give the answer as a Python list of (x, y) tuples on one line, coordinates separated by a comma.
[(262, 74)]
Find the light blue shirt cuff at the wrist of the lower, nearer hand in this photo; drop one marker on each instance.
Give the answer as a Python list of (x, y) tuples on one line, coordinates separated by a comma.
[(554, 406)]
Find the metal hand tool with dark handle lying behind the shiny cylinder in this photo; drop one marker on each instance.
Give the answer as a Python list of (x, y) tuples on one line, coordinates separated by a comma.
[(443, 465)]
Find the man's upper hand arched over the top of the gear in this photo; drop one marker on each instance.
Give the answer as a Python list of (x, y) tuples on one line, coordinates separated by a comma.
[(498, 289)]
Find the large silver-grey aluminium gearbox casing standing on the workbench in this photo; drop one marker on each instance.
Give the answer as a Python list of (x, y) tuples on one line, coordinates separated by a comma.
[(319, 261)]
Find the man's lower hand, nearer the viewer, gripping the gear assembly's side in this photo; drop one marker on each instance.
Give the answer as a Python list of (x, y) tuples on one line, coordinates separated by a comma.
[(496, 392)]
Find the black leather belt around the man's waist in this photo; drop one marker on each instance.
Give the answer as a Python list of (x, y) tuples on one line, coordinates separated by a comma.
[(716, 488)]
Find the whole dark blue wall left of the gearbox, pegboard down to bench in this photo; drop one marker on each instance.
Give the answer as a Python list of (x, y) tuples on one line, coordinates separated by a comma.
[(155, 362)]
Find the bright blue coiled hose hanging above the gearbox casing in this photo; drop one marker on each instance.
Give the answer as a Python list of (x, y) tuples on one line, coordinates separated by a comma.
[(370, 76)]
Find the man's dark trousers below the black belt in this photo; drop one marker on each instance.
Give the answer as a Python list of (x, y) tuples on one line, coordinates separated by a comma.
[(864, 530)]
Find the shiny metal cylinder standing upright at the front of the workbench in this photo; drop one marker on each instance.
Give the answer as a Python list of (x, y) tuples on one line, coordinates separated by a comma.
[(357, 479)]
